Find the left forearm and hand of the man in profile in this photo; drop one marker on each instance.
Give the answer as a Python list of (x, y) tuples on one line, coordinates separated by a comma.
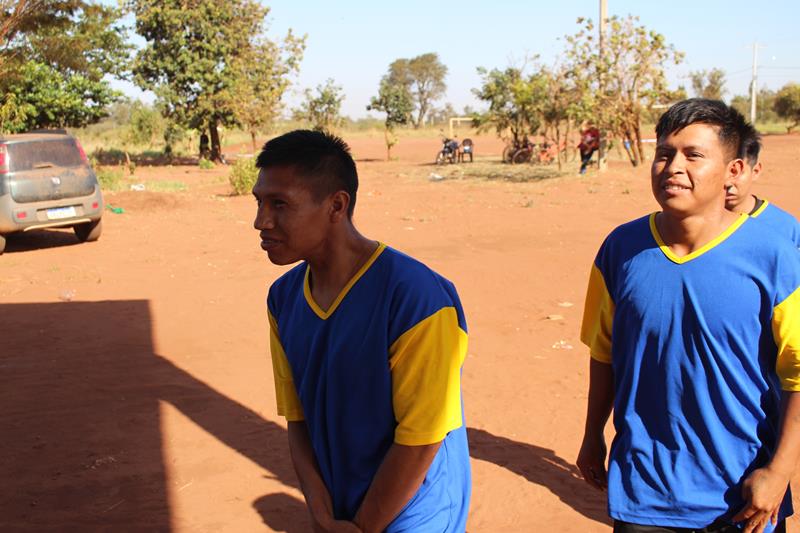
[(318, 499)]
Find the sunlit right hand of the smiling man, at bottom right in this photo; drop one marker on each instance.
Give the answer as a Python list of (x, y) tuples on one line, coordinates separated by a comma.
[(763, 492)]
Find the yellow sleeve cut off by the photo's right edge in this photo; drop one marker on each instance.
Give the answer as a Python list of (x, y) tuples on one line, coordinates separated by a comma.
[(786, 332)]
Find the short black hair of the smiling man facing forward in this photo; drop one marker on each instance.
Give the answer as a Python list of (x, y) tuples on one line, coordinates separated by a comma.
[(732, 126)]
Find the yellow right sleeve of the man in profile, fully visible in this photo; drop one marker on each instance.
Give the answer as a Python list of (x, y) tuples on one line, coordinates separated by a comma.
[(425, 363)]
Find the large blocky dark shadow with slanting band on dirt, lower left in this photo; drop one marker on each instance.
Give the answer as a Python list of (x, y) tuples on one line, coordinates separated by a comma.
[(80, 386)]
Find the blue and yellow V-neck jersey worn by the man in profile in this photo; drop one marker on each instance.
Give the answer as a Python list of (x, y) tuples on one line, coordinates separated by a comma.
[(382, 365)]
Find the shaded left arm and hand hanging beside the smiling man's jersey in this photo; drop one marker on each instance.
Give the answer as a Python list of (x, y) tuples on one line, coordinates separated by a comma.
[(592, 456)]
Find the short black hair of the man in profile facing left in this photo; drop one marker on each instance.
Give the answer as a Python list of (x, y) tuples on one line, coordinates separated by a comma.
[(320, 157)]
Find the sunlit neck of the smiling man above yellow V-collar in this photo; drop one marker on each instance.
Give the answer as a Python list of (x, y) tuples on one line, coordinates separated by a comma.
[(686, 234)]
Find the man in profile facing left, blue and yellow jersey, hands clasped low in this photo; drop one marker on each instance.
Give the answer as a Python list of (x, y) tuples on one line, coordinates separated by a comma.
[(367, 346)]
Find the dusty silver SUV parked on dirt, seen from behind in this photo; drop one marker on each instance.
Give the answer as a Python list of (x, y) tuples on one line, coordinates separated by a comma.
[(46, 182)]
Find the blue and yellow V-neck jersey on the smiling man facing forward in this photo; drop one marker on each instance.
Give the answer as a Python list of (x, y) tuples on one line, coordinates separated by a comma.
[(701, 347)]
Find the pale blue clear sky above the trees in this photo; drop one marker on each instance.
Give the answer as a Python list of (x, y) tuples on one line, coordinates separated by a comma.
[(354, 42)]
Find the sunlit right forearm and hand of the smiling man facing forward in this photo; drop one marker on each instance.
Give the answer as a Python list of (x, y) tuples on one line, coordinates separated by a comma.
[(763, 490)]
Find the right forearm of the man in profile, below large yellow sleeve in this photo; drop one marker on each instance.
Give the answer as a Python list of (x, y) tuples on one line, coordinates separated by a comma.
[(399, 477)]
